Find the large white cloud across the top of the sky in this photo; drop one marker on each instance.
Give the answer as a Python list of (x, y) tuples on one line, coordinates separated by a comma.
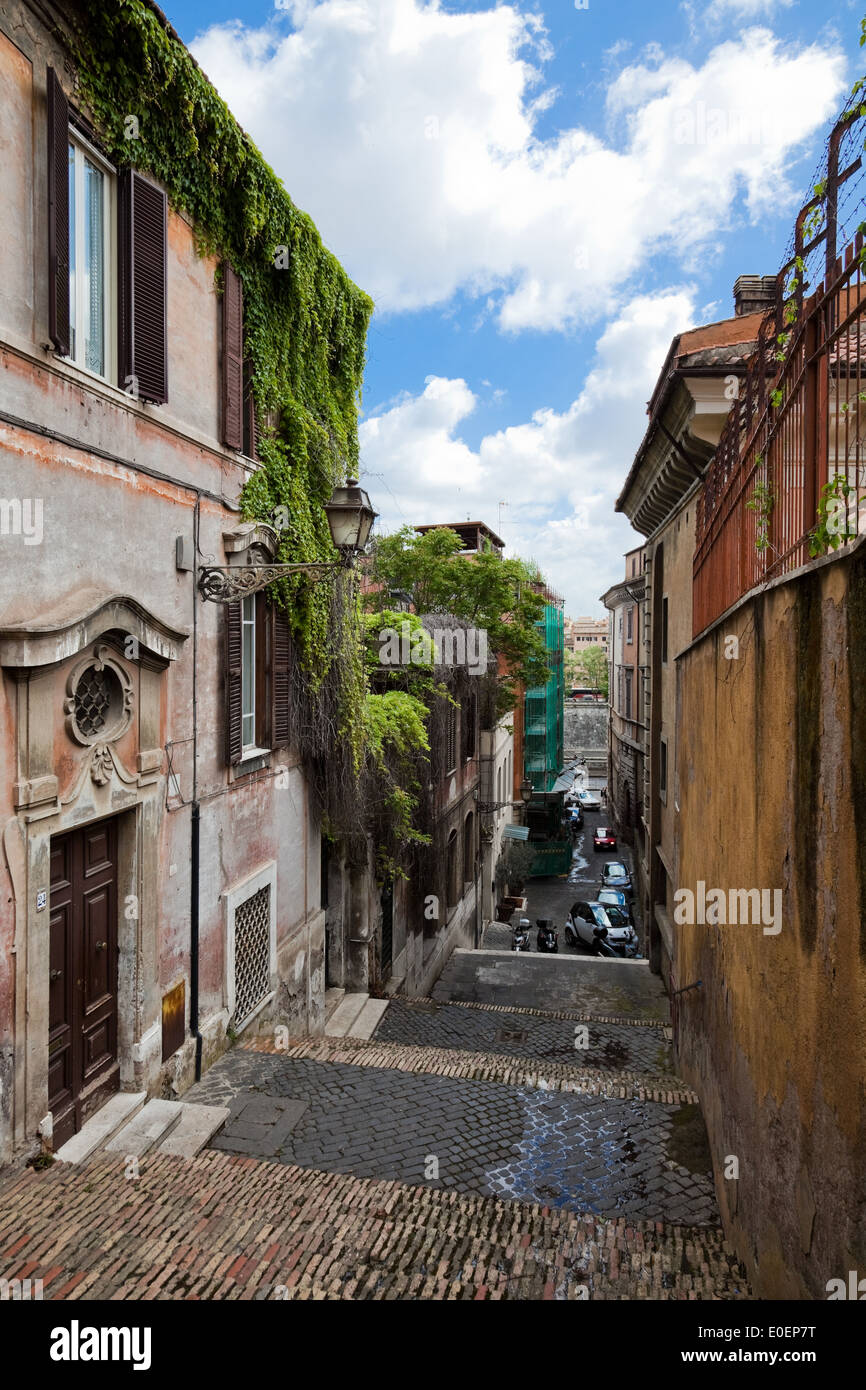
[(437, 180)]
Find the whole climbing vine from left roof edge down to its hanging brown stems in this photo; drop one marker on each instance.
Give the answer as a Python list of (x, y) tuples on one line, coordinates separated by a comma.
[(305, 344)]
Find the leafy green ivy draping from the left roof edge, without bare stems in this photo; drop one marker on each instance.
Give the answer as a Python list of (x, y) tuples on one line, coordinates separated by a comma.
[(305, 326)]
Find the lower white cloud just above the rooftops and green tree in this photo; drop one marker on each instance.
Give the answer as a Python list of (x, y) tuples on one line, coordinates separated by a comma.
[(561, 472)]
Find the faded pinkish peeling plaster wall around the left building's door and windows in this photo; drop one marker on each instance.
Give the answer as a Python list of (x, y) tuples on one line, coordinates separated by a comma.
[(111, 529)]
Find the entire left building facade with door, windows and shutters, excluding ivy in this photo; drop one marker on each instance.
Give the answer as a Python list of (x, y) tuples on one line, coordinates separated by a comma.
[(161, 868)]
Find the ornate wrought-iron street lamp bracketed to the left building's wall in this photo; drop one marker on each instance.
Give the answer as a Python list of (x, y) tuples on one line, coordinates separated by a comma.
[(351, 519)]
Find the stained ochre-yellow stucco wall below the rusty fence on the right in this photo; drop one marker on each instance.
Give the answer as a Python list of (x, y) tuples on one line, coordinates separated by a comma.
[(772, 792)]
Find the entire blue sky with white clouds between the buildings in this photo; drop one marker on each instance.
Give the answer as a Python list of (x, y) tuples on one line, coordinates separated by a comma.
[(539, 198)]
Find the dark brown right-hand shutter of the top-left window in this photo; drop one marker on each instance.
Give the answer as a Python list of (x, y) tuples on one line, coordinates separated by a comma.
[(144, 344)]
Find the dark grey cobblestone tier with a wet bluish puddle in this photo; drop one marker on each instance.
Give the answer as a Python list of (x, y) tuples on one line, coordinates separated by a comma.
[(589, 1153)]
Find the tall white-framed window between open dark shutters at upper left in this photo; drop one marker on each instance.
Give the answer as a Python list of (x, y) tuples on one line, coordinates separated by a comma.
[(91, 259)]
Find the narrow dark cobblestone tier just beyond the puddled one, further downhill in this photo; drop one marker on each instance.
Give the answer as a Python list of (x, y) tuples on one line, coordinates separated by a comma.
[(608, 1046)]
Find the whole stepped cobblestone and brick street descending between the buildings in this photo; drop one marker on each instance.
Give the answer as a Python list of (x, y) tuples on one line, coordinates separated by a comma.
[(465, 1152)]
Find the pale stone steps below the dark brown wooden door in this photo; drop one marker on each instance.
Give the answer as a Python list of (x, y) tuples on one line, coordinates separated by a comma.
[(133, 1127)]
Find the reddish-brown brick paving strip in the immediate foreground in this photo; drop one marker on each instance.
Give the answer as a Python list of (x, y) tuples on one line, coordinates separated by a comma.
[(220, 1227)]
